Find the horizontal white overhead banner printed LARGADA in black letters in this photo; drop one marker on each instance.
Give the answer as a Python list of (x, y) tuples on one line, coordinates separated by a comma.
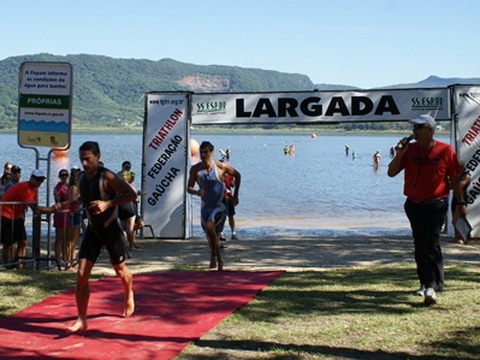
[(316, 106)]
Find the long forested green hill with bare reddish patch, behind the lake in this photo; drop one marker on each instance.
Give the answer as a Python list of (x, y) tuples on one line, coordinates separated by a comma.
[(108, 92)]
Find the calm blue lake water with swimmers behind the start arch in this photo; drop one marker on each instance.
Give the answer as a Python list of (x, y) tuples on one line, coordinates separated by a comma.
[(318, 191)]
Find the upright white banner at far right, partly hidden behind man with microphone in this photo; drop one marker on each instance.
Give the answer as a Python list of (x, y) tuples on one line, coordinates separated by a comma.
[(466, 100)]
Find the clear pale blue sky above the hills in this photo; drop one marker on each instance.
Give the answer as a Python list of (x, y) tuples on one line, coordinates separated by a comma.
[(363, 43)]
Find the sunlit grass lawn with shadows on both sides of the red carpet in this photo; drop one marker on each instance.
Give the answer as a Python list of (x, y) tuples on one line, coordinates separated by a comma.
[(345, 313)]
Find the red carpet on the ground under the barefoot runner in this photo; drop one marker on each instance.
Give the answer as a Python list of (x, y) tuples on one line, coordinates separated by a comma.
[(172, 309)]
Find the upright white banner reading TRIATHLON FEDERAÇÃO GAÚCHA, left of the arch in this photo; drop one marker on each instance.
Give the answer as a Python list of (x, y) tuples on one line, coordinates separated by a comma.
[(164, 170)]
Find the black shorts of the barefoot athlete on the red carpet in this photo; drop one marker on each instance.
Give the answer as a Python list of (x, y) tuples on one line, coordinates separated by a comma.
[(112, 238)]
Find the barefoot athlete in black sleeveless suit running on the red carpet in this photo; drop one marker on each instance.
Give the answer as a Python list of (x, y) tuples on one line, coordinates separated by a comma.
[(101, 191)]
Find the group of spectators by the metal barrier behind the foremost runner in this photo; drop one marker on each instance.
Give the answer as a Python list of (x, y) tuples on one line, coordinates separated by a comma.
[(68, 225)]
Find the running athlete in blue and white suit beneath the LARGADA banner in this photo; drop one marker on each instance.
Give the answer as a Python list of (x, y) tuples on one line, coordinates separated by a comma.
[(209, 174)]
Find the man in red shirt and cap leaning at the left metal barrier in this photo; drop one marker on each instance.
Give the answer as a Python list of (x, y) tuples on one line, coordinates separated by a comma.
[(13, 221)]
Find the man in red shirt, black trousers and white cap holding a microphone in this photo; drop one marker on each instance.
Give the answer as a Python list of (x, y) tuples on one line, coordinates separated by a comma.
[(430, 165)]
